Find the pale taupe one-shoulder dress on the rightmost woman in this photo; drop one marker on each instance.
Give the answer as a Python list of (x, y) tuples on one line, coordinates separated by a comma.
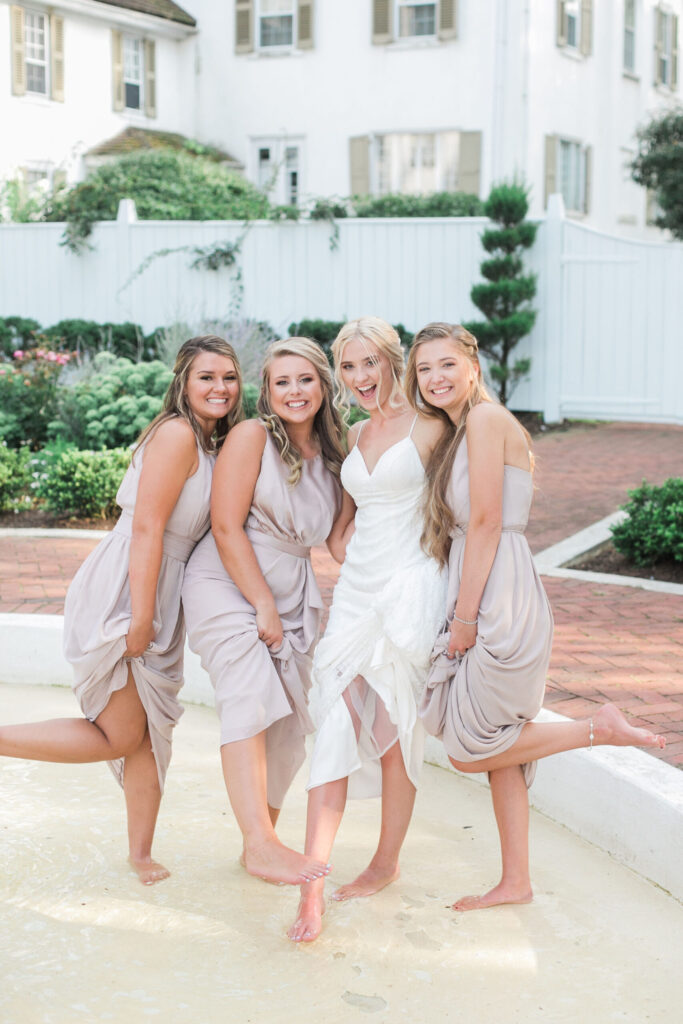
[(479, 704)]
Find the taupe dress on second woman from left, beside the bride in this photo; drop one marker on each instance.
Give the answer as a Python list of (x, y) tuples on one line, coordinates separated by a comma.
[(259, 689)]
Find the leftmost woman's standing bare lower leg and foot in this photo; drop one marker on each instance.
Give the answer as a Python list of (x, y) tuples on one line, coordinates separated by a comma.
[(141, 786)]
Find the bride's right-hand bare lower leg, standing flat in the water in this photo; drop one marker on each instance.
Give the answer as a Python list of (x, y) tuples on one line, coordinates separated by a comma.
[(398, 802)]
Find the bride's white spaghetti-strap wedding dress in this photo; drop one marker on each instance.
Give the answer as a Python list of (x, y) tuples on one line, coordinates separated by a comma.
[(388, 609)]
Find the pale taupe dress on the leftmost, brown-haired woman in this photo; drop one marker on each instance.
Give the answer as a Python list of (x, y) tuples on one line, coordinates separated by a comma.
[(98, 614)]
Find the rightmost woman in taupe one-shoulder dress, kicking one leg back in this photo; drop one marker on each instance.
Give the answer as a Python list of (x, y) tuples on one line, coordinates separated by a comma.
[(489, 668)]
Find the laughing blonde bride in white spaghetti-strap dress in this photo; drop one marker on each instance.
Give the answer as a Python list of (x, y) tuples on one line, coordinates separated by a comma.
[(387, 611)]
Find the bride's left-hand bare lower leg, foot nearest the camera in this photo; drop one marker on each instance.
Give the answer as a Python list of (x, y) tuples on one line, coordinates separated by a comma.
[(326, 807)]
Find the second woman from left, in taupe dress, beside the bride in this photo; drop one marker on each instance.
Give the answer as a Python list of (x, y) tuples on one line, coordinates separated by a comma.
[(252, 605)]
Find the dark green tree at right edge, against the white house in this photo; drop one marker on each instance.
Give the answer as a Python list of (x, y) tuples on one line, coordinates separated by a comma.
[(659, 166)]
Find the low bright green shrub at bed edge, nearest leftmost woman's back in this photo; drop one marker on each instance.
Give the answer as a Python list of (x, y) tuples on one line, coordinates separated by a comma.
[(84, 484)]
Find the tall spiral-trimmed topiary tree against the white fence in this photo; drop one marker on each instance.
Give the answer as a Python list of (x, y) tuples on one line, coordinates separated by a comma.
[(505, 300)]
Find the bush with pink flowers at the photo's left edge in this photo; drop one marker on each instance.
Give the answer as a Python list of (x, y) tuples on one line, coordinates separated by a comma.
[(29, 396)]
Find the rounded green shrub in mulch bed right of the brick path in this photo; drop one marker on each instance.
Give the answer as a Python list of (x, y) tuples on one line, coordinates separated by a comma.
[(653, 531)]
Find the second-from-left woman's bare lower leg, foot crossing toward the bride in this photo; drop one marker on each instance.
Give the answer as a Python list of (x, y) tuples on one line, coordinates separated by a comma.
[(245, 774)]
